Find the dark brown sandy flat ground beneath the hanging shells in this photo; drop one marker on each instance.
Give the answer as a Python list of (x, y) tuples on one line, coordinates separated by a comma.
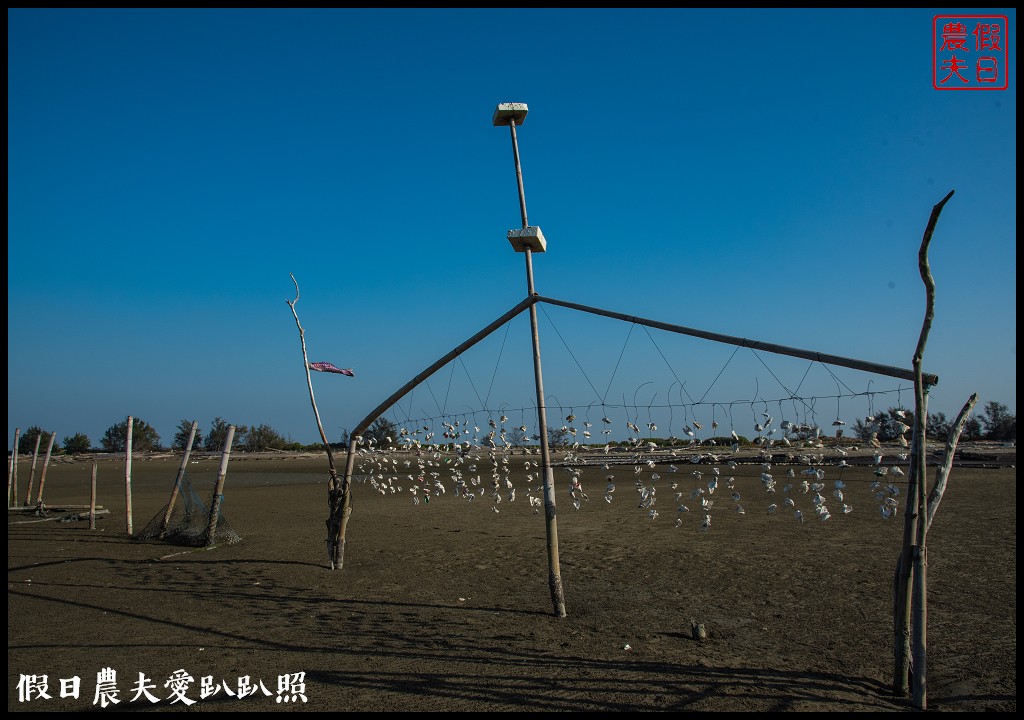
[(445, 607)]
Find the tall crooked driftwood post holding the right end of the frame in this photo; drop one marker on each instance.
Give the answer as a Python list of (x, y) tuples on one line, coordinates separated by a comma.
[(911, 576)]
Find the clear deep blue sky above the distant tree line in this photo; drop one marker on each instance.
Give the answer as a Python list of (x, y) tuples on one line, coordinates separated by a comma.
[(762, 175)]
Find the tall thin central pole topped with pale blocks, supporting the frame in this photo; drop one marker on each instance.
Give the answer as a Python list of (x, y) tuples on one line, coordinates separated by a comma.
[(554, 574)]
